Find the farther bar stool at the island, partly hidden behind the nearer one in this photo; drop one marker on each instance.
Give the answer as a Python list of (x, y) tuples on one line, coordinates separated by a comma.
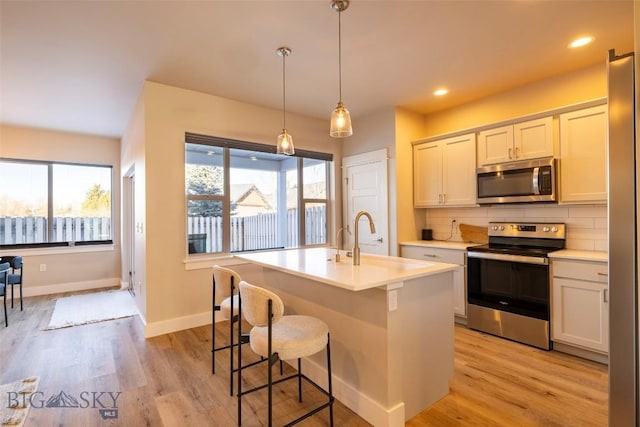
[(225, 285)]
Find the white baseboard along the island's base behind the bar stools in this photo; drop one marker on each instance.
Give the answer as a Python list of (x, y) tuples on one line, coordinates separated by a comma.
[(372, 411)]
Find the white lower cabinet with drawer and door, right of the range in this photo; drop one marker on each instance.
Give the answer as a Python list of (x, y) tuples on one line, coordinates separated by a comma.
[(580, 304)]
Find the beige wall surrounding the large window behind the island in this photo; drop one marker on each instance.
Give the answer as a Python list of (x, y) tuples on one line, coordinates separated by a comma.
[(178, 297)]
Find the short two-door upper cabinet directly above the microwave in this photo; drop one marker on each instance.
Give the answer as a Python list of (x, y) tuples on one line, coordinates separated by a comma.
[(521, 141)]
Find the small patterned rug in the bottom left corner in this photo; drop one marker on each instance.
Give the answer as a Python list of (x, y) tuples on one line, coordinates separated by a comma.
[(15, 398)]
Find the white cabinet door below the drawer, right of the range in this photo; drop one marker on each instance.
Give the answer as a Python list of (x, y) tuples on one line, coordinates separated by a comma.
[(580, 313)]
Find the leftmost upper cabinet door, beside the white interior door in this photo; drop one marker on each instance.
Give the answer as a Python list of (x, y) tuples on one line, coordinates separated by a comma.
[(427, 174)]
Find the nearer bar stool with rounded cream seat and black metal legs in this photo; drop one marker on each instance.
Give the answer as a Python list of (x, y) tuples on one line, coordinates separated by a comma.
[(275, 336)]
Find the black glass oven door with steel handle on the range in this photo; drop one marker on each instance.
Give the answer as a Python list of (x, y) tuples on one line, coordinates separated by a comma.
[(512, 283)]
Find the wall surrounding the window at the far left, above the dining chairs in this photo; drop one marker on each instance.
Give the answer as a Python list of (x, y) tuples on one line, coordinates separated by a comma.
[(67, 268)]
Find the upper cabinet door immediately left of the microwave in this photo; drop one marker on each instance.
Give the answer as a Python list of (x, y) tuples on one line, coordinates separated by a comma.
[(458, 170)]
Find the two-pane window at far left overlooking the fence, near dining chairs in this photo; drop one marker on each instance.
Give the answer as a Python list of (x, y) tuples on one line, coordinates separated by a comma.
[(54, 204)]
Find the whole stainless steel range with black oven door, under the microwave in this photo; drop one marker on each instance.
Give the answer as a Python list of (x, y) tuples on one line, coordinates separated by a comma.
[(508, 281)]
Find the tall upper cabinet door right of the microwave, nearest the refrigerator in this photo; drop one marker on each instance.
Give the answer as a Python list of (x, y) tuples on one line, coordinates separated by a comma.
[(583, 155)]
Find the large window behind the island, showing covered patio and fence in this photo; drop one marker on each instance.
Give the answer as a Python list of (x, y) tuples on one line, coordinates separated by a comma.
[(242, 196)]
